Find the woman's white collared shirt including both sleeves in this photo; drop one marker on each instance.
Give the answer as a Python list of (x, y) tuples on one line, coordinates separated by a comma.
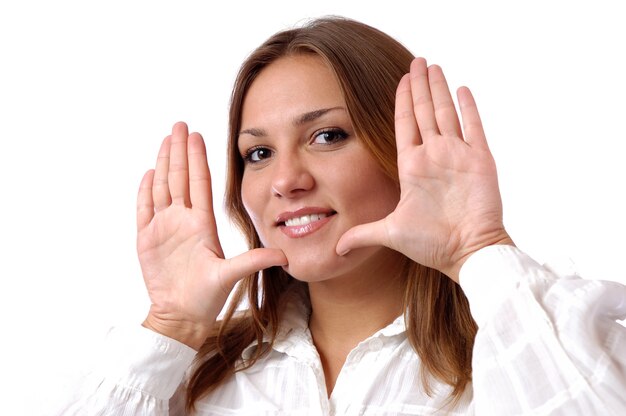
[(546, 345)]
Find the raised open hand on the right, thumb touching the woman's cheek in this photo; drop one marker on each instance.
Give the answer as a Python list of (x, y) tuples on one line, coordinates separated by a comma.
[(450, 204)]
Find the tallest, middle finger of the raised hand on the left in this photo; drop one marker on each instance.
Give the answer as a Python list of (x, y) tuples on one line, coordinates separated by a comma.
[(178, 175)]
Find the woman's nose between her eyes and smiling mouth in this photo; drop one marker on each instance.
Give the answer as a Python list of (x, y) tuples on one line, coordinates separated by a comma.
[(291, 176)]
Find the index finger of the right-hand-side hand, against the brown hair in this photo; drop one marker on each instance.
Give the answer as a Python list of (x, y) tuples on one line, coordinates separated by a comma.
[(407, 133)]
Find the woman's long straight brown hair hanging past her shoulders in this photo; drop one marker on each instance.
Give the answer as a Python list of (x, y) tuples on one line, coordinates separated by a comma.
[(368, 65)]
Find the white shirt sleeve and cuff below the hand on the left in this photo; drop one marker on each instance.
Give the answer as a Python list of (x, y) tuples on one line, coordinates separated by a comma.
[(137, 373)]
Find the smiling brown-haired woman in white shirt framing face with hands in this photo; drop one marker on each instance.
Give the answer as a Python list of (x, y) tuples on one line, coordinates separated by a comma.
[(365, 203)]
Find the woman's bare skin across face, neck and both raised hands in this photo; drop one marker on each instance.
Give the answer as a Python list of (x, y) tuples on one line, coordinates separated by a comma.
[(449, 207)]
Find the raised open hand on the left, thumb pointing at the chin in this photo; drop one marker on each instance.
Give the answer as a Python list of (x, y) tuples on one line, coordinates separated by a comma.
[(184, 269)]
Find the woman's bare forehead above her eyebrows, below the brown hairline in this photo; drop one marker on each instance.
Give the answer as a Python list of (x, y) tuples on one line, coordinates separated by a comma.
[(288, 87)]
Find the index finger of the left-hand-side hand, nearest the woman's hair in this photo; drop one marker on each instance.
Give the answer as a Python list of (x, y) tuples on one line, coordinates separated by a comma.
[(199, 175)]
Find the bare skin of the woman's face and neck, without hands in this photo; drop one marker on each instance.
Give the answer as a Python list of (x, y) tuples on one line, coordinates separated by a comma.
[(352, 296)]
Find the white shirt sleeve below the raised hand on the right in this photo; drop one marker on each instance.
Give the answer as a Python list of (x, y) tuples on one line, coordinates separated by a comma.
[(546, 344)]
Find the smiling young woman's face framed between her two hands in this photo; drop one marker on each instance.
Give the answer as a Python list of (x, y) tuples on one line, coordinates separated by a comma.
[(307, 177)]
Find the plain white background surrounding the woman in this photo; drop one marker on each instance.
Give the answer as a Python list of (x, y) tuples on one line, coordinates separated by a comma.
[(88, 90)]
